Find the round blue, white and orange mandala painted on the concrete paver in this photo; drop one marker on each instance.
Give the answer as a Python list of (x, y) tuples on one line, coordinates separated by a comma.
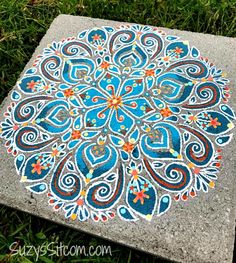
[(118, 121)]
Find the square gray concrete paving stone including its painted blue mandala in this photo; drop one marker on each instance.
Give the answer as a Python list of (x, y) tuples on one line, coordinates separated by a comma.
[(126, 132)]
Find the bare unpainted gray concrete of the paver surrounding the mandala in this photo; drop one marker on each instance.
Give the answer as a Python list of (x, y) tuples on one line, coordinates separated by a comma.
[(199, 230)]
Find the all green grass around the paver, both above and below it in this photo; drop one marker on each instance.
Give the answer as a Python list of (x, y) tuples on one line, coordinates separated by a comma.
[(22, 25)]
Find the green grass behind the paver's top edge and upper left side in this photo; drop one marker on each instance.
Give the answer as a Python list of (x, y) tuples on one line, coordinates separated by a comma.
[(24, 22)]
